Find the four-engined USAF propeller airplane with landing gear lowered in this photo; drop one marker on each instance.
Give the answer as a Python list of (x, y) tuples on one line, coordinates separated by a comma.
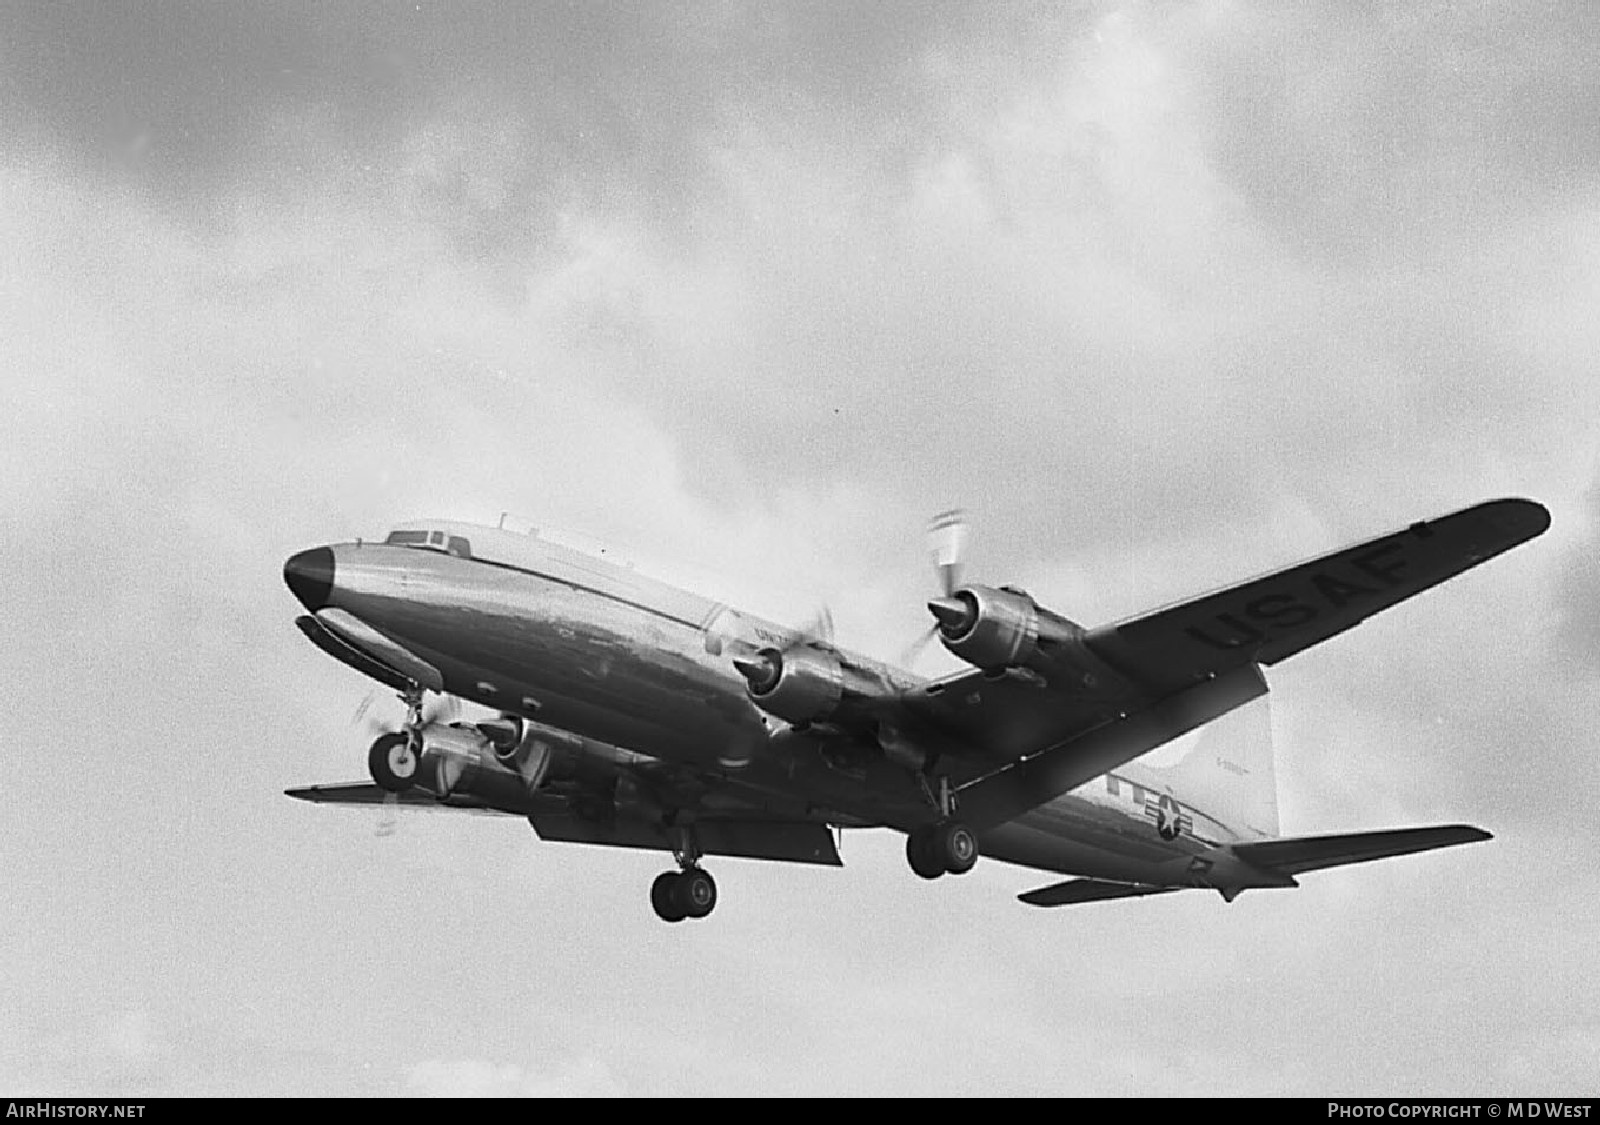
[(630, 713)]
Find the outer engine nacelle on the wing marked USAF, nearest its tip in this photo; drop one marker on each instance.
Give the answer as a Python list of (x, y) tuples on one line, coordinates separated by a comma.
[(1002, 630)]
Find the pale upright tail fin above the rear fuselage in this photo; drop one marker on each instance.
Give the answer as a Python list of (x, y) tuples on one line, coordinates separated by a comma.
[(1230, 771)]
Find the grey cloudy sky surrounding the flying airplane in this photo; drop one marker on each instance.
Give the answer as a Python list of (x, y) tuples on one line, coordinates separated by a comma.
[(1162, 294)]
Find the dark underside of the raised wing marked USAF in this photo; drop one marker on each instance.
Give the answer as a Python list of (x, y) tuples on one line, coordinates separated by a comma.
[(1190, 663)]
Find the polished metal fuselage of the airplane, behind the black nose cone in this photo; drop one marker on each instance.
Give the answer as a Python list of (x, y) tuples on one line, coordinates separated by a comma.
[(599, 651)]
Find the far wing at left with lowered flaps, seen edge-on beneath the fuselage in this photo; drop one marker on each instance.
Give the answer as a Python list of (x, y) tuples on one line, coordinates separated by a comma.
[(750, 835)]
